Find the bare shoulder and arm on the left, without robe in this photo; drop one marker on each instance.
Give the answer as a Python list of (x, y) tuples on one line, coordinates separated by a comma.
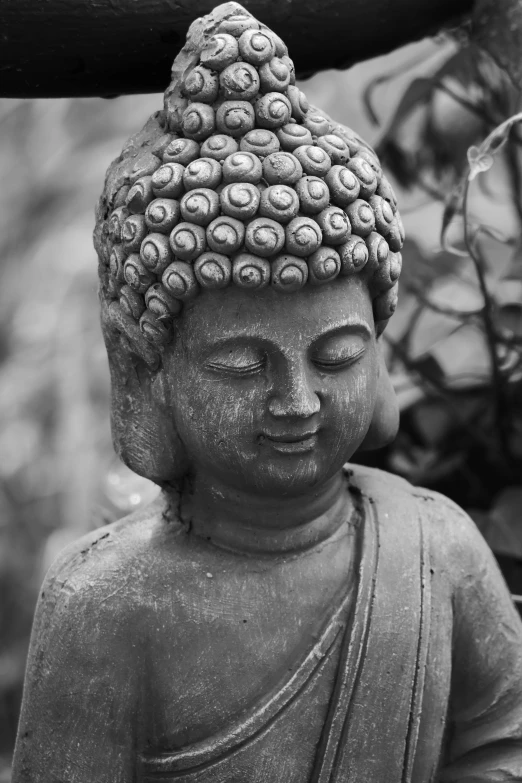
[(85, 665)]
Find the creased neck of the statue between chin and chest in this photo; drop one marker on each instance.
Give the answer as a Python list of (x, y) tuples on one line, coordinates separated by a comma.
[(251, 523)]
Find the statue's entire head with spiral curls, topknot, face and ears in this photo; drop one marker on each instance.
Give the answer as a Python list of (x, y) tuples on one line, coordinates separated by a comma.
[(249, 256)]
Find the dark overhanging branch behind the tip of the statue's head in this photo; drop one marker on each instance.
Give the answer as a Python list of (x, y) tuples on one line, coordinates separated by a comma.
[(65, 48)]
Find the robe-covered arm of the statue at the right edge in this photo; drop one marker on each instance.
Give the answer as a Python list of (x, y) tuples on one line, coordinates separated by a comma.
[(485, 731)]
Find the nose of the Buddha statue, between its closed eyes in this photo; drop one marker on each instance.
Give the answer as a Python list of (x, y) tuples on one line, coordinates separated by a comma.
[(294, 396)]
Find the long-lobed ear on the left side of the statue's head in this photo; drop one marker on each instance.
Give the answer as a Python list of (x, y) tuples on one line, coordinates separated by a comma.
[(142, 423)]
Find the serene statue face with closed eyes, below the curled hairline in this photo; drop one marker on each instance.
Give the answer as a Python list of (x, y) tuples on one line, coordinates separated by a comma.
[(271, 392)]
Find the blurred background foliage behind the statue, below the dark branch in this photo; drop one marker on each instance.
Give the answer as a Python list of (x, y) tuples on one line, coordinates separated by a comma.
[(453, 347)]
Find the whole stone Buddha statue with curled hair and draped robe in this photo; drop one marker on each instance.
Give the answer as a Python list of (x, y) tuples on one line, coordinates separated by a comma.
[(277, 613)]
